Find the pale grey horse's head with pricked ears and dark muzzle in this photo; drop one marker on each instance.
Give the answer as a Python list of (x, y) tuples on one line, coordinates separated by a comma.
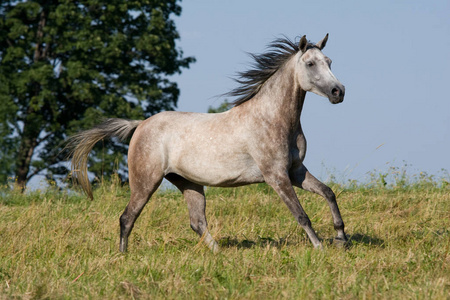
[(315, 74)]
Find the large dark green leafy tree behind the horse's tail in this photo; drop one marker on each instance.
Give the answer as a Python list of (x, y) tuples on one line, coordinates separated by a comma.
[(64, 65)]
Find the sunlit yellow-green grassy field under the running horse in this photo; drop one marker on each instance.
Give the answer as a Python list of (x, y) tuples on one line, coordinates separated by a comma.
[(56, 245)]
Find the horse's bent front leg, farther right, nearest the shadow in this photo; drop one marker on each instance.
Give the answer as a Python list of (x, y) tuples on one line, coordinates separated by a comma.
[(301, 178)]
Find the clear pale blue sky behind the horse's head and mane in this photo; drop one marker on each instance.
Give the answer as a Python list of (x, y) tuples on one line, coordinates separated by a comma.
[(392, 56)]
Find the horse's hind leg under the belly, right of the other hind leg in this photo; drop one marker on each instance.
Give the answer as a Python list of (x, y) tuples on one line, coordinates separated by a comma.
[(196, 202)]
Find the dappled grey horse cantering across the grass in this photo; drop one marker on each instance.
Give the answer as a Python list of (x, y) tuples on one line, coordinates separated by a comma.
[(260, 139)]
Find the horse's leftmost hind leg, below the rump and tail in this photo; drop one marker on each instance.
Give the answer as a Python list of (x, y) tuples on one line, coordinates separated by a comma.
[(141, 191)]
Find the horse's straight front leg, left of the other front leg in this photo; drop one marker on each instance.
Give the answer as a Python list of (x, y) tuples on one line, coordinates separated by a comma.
[(281, 183)]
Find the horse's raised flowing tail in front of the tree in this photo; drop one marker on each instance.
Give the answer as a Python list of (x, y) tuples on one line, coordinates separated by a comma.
[(80, 144)]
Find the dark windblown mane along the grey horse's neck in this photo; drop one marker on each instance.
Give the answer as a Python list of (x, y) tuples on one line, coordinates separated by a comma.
[(264, 66)]
